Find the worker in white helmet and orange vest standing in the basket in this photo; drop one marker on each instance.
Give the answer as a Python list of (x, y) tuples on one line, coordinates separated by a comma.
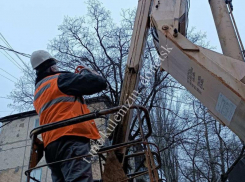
[(58, 96)]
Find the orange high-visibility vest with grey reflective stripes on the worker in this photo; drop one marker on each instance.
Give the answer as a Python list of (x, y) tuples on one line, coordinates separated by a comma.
[(52, 105)]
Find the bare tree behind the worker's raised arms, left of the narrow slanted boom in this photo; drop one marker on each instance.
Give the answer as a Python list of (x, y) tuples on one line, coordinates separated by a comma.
[(97, 42)]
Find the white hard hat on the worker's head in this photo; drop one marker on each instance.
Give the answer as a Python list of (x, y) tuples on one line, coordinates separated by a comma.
[(38, 57)]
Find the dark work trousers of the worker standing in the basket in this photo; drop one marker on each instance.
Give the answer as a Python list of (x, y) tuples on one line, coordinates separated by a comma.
[(72, 171)]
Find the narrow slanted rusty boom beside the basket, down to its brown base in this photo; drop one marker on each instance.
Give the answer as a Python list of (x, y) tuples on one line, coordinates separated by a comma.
[(130, 85)]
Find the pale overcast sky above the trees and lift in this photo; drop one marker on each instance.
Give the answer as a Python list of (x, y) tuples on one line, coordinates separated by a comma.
[(30, 25)]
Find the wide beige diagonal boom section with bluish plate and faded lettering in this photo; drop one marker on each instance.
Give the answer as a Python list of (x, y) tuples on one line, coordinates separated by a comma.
[(216, 80)]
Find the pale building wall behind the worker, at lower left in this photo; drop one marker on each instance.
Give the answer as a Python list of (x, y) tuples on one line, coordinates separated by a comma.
[(15, 150)]
